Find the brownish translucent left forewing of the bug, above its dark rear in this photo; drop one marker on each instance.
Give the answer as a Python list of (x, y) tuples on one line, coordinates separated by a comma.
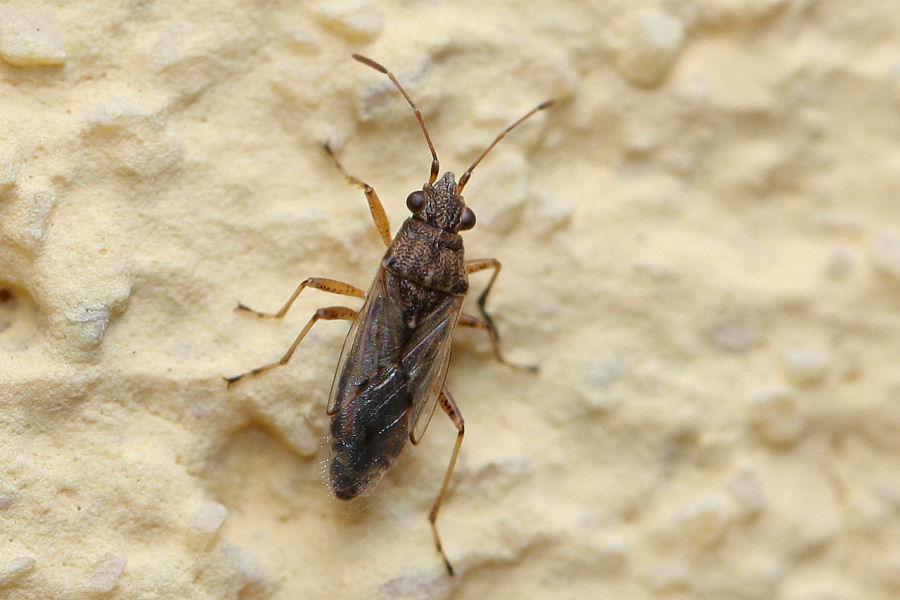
[(372, 344)]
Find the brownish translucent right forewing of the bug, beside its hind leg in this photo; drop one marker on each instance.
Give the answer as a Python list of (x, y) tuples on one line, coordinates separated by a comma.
[(425, 360)]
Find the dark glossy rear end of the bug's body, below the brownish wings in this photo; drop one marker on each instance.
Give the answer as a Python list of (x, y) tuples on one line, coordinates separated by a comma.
[(368, 433)]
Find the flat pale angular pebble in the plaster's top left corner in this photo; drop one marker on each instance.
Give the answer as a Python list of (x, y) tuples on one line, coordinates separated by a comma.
[(30, 37)]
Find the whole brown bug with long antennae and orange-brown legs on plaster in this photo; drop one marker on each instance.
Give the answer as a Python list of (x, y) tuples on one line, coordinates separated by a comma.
[(394, 361)]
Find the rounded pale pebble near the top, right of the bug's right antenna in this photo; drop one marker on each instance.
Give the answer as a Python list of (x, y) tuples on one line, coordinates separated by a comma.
[(653, 40)]
